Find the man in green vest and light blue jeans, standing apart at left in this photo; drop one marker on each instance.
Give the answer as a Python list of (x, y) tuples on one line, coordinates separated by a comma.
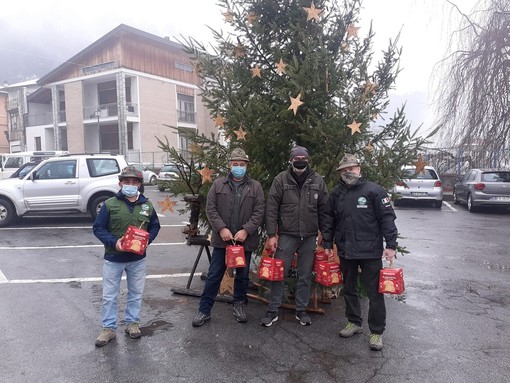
[(128, 207)]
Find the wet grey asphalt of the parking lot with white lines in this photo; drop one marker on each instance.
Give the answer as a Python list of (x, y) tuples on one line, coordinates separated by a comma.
[(450, 325)]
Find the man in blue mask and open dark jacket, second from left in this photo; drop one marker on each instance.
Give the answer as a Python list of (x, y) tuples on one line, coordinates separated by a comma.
[(235, 210)]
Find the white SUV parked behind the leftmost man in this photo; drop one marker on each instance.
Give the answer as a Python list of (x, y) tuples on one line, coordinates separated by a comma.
[(72, 183)]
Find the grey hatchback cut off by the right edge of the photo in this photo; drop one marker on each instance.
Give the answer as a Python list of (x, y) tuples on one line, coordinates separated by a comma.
[(483, 187)]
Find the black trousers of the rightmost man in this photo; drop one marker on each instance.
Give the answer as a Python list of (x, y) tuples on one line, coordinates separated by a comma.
[(370, 279)]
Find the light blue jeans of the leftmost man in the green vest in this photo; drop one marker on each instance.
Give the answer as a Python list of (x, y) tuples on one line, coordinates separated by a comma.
[(112, 274)]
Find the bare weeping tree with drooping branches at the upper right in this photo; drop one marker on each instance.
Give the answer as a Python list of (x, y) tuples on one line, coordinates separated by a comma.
[(473, 103)]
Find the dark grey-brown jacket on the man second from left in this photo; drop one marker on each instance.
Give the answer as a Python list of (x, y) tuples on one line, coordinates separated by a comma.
[(220, 201)]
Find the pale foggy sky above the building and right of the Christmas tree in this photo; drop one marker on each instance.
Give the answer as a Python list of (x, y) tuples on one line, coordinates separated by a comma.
[(39, 35)]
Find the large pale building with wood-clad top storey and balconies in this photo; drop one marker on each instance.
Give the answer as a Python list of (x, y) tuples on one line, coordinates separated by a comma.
[(117, 95)]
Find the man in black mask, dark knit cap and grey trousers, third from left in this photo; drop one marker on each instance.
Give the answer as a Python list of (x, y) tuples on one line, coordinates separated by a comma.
[(296, 211)]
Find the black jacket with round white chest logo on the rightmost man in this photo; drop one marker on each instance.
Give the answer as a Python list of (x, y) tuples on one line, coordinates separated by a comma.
[(359, 217)]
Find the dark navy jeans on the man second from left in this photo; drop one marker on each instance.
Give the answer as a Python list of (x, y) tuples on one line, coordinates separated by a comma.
[(215, 275)]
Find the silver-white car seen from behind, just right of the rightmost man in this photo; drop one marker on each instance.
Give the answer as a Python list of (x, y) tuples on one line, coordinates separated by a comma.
[(422, 186)]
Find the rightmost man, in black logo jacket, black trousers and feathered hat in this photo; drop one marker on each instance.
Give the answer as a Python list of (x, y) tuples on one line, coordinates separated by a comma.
[(360, 216)]
